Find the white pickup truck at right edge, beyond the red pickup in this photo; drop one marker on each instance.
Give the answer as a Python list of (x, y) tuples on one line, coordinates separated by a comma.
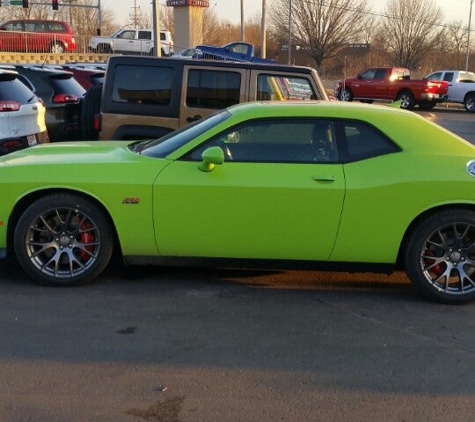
[(461, 86)]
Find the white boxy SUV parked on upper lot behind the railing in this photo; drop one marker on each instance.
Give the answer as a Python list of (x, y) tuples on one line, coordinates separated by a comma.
[(132, 41)]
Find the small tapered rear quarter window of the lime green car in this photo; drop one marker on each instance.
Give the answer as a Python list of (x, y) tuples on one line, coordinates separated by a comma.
[(361, 141)]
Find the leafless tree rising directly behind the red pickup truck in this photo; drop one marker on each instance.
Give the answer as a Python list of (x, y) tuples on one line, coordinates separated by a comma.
[(413, 29)]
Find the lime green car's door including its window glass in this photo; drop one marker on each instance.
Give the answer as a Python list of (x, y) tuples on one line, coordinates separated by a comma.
[(278, 195)]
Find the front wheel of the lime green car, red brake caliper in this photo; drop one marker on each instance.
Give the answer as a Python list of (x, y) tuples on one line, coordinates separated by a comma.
[(63, 240)]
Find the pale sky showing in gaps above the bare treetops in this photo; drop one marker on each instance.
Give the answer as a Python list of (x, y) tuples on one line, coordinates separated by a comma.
[(231, 9)]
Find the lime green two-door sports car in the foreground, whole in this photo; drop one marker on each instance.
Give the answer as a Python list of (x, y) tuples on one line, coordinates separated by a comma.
[(319, 185)]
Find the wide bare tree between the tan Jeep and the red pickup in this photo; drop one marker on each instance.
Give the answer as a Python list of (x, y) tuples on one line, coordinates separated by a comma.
[(322, 27)]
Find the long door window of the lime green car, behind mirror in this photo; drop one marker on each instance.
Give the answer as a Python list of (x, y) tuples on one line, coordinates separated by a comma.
[(277, 141)]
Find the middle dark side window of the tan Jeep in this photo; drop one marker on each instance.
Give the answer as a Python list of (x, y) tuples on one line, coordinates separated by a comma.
[(212, 88)]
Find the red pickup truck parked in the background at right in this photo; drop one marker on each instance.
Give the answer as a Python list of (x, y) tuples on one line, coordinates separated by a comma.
[(392, 83)]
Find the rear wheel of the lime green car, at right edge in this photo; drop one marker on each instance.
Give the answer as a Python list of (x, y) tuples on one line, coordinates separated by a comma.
[(440, 256)]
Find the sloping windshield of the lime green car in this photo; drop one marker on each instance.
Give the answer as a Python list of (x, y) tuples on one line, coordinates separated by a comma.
[(165, 145)]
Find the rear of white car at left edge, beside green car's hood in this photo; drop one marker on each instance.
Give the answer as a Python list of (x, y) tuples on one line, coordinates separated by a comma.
[(22, 115)]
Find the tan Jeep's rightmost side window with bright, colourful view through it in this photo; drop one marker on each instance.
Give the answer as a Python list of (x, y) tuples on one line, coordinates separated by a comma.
[(283, 88)]
